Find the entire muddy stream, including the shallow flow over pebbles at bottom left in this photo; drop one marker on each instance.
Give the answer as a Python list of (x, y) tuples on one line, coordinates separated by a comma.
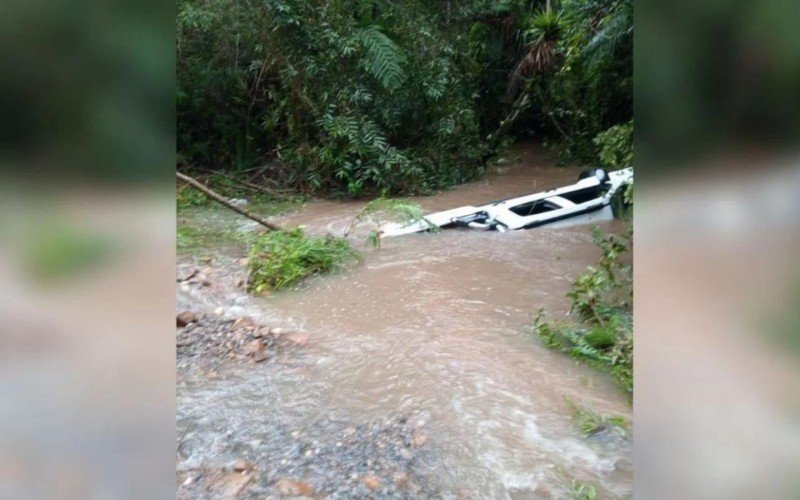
[(417, 374)]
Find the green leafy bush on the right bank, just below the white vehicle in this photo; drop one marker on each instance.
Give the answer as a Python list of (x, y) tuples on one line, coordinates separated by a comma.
[(602, 300)]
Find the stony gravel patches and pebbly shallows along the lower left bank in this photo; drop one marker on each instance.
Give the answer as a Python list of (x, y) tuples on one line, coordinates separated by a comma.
[(334, 457)]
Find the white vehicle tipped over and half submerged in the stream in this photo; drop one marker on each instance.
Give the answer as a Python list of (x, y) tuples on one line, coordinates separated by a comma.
[(589, 198)]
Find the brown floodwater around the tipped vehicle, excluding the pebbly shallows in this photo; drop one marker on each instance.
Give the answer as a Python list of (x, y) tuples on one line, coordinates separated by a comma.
[(438, 325)]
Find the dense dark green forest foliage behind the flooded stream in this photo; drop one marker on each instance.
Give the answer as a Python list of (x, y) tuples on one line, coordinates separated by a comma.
[(352, 97)]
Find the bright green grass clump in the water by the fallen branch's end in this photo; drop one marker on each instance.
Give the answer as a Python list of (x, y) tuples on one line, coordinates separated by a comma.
[(280, 259)]
